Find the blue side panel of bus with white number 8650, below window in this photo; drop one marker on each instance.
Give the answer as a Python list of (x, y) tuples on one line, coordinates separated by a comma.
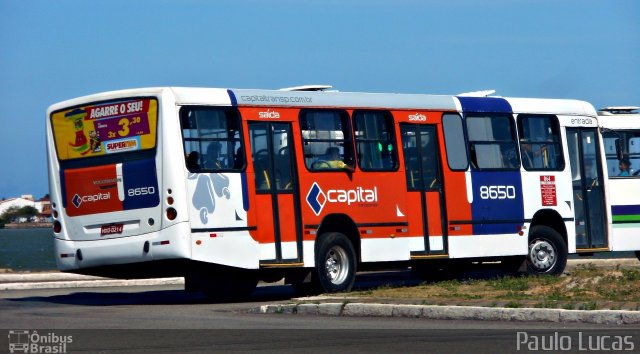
[(497, 196)]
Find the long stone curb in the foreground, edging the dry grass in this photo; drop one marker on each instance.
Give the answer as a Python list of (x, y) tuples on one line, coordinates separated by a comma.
[(613, 317)]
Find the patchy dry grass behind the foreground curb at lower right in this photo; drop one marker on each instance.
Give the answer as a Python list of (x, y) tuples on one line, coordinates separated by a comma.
[(582, 287)]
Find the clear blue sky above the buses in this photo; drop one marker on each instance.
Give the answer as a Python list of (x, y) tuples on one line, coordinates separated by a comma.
[(51, 51)]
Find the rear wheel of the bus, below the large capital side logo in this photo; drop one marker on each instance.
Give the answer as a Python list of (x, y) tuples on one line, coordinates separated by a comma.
[(335, 269)]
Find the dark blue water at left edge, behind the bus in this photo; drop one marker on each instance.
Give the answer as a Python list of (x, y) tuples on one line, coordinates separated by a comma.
[(27, 249)]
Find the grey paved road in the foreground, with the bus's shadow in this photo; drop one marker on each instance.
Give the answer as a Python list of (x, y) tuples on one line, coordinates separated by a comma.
[(163, 318)]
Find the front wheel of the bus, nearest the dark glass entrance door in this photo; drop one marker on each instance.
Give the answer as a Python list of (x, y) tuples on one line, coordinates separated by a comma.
[(547, 251)]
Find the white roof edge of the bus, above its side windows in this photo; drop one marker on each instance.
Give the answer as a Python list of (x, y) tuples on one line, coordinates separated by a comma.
[(321, 98)]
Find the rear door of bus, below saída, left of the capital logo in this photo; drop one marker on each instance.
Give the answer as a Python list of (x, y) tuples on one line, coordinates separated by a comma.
[(279, 227)]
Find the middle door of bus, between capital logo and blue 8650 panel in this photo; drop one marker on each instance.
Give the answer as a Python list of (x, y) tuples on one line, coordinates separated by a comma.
[(424, 186)]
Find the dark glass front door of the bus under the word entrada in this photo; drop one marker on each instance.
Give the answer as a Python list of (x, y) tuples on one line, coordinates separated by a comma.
[(588, 193)]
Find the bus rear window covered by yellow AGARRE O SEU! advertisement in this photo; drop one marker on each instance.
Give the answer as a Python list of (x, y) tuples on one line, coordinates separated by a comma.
[(104, 128)]
